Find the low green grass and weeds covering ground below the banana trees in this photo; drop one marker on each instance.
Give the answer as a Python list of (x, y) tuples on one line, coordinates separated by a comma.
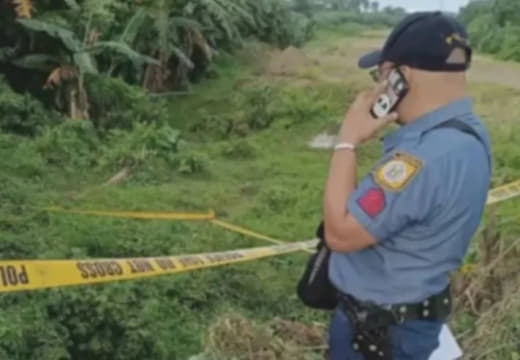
[(247, 158)]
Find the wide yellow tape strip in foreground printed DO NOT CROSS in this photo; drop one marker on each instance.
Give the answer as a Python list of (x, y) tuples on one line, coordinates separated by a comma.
[(20, 275)]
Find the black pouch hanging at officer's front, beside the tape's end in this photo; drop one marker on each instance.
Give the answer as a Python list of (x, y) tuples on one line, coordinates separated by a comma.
[(314, 288)]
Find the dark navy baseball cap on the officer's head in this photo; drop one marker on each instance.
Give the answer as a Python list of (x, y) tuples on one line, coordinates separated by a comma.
[(424, 40)]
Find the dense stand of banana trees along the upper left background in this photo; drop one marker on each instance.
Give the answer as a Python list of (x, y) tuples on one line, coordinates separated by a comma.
[(54, 49)]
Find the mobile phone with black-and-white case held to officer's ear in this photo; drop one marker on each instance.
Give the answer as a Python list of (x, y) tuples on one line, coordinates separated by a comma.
[(395, 92)]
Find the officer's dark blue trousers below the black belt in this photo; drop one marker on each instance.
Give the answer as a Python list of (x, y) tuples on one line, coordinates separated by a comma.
[(413, 340)]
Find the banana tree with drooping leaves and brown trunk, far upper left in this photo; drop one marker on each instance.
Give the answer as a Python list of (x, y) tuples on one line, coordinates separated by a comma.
[(67, 68)]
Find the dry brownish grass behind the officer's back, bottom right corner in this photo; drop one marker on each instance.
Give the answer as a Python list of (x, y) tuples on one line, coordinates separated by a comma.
[(491, 297)]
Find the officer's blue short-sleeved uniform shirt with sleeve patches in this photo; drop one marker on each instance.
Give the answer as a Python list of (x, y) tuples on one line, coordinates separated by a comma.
[(424, 202)]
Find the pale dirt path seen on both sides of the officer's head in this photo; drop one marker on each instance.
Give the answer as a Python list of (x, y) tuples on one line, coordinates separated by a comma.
[(335, 60)]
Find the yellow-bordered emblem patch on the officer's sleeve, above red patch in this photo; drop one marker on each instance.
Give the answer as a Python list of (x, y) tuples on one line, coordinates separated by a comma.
[(397, 173)]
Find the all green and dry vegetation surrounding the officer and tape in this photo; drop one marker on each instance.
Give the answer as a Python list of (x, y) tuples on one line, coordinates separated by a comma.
[(158, 138)]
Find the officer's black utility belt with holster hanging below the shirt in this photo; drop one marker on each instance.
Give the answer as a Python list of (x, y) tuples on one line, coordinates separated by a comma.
[(371, 322)]
